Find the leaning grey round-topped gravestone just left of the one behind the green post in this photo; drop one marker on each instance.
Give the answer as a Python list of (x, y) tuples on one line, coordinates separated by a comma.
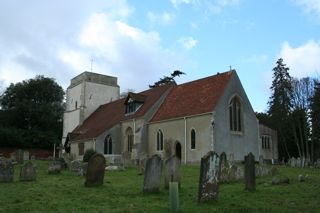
[(152, 174)]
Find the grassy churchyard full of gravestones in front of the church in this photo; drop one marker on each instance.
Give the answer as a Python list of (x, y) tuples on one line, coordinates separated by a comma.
[(215, 185)]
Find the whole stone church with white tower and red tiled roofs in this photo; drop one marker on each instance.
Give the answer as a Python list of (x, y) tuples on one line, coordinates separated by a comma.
[(187, 120)]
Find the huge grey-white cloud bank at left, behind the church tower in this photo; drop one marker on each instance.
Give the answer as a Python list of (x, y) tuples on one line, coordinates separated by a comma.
[(58, 39)]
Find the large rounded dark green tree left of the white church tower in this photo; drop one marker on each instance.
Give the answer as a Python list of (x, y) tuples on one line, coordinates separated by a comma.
[(31, 113)]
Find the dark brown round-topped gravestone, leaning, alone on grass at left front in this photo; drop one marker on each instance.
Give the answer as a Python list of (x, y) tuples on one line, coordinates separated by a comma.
[(95, 170)]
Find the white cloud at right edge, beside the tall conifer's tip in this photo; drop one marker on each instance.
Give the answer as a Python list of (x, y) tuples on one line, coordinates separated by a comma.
[(303, 60)]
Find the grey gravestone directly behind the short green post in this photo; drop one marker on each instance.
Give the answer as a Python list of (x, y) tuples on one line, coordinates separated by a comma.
[(172, 171)]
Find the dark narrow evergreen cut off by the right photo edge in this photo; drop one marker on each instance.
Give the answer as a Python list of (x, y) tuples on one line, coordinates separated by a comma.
[(315, 122)]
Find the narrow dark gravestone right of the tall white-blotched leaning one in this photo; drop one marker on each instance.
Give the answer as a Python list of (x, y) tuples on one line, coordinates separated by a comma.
[(249, 172)]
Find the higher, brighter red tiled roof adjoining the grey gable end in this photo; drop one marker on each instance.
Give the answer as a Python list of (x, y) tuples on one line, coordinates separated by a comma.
[(193, 98)]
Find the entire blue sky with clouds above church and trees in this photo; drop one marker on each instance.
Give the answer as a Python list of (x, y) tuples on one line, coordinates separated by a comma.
[(142, 41)]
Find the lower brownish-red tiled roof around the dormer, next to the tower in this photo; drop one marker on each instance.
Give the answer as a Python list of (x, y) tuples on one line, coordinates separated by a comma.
[(108, 115)]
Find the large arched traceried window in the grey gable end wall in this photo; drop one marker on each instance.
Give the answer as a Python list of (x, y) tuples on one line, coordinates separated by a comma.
[(235, 115)]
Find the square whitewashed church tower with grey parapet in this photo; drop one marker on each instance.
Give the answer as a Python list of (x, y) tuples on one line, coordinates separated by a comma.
[(85, 94)]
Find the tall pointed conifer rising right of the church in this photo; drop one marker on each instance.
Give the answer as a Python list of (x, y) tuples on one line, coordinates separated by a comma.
[(280, 107)]
